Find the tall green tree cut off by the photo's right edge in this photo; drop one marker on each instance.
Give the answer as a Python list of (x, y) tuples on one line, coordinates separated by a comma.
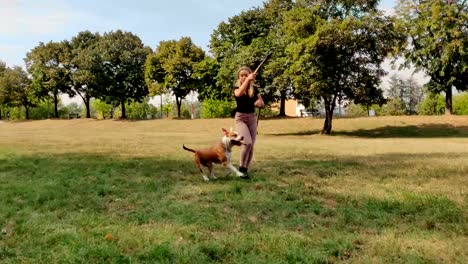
[(437, 42)]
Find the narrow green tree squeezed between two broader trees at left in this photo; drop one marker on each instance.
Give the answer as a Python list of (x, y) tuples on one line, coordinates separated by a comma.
[(86, 71)]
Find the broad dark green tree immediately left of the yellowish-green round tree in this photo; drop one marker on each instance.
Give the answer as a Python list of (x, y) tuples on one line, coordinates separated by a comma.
[(123, 57)]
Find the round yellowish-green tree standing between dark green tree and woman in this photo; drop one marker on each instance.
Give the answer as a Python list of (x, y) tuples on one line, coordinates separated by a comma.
[(173, 68)]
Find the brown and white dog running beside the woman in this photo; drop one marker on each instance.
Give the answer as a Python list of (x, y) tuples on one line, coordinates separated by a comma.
[(218, 153)]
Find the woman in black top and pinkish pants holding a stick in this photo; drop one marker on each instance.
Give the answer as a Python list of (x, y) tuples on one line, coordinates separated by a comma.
[(247, 98)]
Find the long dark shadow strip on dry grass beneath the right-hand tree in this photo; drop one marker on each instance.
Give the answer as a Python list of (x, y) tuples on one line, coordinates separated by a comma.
[(421, 131)]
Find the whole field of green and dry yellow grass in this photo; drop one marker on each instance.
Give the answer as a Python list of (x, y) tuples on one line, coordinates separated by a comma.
[(379, 190)]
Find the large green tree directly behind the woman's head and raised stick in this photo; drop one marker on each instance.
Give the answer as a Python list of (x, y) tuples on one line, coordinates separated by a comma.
[(246, 39)]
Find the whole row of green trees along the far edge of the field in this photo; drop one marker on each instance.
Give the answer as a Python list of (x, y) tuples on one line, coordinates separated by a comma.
[(321, 50)]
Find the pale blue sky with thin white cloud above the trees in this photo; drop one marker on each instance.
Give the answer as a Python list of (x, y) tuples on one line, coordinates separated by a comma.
[(25, 23)]
